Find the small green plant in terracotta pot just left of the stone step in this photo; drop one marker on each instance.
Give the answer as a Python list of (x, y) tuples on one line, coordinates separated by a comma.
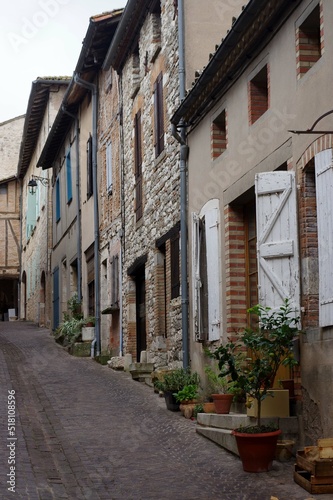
[(217, 386)]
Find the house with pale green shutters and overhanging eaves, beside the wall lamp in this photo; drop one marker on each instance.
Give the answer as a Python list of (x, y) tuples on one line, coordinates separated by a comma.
[(36, 204)]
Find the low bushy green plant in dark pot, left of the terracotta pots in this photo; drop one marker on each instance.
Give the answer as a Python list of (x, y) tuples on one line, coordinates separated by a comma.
[(174, 381)]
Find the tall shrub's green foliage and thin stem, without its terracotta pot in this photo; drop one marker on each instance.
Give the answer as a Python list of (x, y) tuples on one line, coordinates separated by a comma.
[(268, 346)]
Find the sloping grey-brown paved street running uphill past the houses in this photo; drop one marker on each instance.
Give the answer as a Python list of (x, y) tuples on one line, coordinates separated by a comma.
[(86, 432)]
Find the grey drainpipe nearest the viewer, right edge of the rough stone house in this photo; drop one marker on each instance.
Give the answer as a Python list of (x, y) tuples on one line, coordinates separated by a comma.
[(181, 138)]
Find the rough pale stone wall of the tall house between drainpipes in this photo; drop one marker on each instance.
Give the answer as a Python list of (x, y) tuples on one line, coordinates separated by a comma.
[(158, 52)]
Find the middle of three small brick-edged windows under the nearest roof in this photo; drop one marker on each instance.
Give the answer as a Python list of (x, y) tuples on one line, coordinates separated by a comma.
[(258, 94)]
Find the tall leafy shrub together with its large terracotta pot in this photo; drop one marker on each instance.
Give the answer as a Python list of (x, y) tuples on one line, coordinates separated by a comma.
[(268, 346)]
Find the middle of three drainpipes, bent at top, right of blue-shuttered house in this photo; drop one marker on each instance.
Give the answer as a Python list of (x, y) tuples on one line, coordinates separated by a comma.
[(96, 343)]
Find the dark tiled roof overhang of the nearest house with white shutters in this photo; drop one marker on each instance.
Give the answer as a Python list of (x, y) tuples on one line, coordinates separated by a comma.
[(250, 33)]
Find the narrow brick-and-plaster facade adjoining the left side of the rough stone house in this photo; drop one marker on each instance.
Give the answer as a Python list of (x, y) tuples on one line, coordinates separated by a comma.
[(111, 227)]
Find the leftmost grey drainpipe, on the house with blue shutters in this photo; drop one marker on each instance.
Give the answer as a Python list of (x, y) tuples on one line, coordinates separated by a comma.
[(78, 211)]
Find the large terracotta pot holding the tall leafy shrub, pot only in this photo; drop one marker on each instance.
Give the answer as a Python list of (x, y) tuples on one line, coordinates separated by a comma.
[(257, 451)]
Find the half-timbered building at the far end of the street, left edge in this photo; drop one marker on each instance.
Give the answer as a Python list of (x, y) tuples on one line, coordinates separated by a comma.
[(10, 135)]
